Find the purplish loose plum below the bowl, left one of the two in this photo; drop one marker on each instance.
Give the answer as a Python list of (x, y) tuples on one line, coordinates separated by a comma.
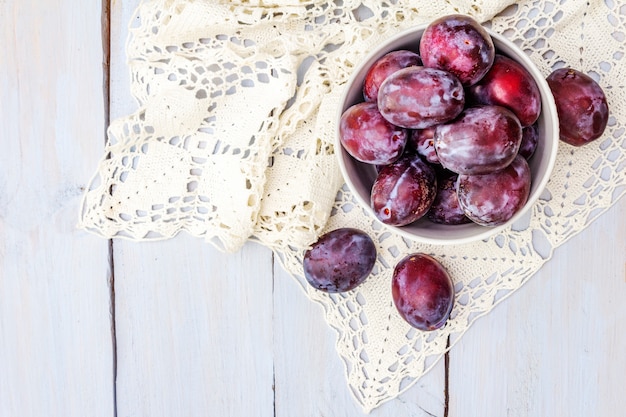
[(340, 260)]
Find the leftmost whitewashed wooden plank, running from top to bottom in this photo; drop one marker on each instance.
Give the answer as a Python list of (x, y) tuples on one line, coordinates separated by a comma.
[(55, 329)]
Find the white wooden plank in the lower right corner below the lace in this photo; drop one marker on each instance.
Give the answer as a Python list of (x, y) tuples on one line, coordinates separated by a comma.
[(556, 347)]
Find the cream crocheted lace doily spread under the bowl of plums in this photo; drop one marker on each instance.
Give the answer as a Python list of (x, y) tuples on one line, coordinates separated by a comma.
[(233, 140)]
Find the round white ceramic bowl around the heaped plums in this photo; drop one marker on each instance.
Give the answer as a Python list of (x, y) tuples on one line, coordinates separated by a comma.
[(360, 176)]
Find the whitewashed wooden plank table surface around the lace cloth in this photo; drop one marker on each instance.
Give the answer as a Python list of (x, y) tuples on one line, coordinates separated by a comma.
[(95, 328)]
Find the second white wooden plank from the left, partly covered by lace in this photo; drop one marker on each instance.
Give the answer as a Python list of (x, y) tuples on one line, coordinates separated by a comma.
[(193, 325)]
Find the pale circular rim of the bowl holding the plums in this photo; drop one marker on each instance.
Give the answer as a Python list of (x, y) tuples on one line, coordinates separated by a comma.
[(502, 45)]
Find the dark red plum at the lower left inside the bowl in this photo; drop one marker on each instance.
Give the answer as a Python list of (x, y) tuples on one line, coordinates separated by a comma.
[(404, 191)]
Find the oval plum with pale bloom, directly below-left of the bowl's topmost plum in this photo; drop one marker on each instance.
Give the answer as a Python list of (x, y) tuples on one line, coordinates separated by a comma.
[(418, 97)]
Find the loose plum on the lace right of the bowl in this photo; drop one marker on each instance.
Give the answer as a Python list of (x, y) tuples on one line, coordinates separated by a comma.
[(581, 105)]
